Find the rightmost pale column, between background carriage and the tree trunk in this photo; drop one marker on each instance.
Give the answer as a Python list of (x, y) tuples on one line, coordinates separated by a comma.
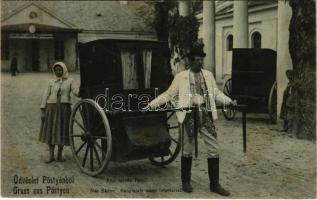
[(284, 62)]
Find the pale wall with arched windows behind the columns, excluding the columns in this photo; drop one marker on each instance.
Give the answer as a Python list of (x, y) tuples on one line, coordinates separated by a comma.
[(262, 32)]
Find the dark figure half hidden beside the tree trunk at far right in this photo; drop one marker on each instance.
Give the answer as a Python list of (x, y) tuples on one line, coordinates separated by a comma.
[(287, 92)]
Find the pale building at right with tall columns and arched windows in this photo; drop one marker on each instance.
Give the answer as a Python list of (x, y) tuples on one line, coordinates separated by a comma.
[(246, 24)]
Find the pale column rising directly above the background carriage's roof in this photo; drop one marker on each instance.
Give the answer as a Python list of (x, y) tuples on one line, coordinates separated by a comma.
[(240, 24)]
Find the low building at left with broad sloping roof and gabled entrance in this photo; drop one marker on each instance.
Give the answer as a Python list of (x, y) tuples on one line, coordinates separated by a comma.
[(39, 33)]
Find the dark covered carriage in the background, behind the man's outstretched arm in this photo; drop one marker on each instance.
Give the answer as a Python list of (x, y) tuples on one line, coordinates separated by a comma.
[(253, 82)]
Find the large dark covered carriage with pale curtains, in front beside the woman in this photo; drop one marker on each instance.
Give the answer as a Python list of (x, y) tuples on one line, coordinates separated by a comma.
[(118, 78)]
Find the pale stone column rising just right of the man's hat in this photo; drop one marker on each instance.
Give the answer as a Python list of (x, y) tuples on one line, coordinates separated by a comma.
[(209, 34)]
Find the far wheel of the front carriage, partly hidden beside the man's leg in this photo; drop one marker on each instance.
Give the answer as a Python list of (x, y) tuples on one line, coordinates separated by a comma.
[(174, 134)]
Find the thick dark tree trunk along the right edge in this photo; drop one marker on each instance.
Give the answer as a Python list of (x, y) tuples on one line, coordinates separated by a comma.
[(302, 46)]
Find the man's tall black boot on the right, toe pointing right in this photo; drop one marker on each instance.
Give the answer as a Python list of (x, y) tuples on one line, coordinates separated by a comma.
[(213, 172)]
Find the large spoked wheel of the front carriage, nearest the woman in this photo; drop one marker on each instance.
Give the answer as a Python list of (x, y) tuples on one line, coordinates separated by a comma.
[(90, 137)]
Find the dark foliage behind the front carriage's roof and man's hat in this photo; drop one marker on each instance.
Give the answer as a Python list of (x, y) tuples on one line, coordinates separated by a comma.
[(180, 31)]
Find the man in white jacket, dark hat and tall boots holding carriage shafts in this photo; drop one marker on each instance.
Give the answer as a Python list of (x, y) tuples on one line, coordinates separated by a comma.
[(197, 88)]
